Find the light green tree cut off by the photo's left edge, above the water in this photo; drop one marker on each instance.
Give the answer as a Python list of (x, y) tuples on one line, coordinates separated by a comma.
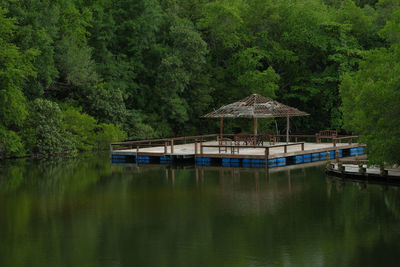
[(15, 69)]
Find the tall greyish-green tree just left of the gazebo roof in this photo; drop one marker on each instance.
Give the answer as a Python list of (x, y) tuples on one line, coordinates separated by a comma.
[(180, 75)]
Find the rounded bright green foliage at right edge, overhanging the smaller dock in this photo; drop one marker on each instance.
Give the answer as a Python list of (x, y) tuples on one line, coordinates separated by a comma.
[(371, 103)]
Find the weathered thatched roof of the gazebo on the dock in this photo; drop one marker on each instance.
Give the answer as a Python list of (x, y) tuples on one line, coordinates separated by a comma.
[(255, 106)]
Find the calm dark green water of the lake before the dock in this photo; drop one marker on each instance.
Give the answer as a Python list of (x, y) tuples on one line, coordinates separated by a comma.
[(82, 212)]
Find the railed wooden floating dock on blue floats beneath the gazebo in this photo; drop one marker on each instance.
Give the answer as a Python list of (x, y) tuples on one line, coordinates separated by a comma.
[(205, 152)]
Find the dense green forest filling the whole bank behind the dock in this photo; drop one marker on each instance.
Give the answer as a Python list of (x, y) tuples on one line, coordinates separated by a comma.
[(75, 74)]
